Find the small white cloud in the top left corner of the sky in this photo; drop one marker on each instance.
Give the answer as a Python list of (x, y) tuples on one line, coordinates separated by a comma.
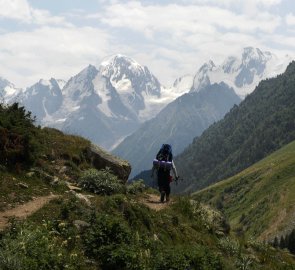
[(22, 11)]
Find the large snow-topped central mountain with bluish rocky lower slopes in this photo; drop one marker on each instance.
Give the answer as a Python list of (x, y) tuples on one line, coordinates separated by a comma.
[(107, 103)]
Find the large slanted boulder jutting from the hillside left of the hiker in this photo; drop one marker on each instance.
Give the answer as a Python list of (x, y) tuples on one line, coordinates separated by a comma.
[(101, 159)]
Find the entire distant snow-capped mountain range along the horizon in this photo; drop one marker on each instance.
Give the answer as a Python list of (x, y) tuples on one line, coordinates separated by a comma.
[(108, 103)]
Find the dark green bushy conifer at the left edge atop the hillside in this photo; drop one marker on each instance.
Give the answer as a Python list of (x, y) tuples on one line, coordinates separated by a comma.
[(18, 144)]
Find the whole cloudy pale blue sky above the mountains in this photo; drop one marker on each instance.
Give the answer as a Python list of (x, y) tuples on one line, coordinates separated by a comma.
[(58, 38)]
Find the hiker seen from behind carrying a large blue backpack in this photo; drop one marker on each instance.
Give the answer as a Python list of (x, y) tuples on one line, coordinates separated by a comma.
[(163, 165)]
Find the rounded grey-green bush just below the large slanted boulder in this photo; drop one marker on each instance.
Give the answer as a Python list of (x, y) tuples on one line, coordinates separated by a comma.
[(101, 182)]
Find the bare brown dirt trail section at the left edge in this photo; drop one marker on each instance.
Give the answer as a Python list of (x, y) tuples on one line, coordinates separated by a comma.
[(24, 210)]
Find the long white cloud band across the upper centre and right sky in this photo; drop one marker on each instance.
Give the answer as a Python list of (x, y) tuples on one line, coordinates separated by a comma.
[(185, 19)]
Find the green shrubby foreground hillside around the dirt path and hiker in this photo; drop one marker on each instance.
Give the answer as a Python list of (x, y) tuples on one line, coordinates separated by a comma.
[(102, 223)]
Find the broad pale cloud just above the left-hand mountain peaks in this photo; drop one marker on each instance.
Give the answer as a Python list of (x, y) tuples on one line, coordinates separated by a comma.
[(50, 52)]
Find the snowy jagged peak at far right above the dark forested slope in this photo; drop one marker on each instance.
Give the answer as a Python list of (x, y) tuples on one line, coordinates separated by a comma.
[(241, 73)]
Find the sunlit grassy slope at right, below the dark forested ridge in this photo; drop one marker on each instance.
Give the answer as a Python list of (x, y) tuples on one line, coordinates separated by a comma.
[(260, 200)]
